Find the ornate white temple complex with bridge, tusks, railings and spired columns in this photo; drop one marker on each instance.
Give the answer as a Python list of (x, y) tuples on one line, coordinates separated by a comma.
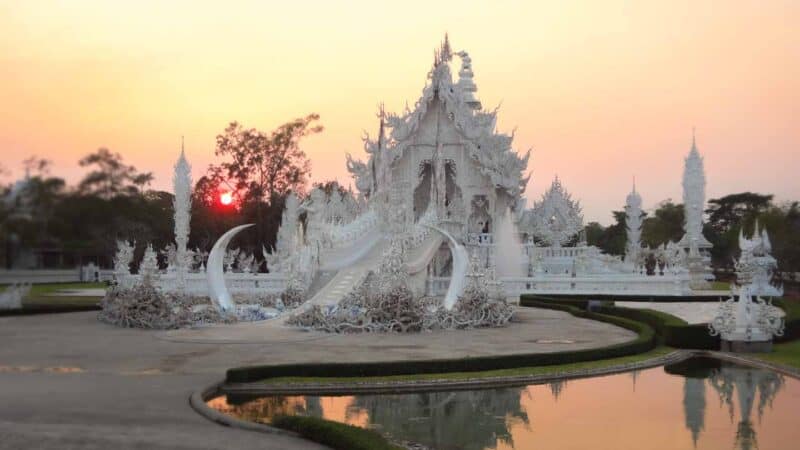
[(440, 187)]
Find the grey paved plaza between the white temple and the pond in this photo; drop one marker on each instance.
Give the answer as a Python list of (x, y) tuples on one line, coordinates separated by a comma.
[(68, 381)]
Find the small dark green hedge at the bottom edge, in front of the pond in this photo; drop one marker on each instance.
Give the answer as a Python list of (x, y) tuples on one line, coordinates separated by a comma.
[(336, 435)]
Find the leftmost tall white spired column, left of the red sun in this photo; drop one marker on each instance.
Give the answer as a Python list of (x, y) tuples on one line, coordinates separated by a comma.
[(182, 186)]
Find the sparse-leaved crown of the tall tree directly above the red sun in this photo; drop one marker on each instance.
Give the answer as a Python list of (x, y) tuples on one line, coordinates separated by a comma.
[(265, 166)]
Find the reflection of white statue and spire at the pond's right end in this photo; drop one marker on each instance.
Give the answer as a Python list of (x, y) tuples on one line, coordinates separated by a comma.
[(730, 382)]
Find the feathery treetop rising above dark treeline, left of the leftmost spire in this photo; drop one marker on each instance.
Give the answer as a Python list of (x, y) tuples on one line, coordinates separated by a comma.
[(111, 177)]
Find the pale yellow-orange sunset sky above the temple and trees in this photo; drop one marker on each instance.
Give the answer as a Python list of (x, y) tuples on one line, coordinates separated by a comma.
[(601, 91)]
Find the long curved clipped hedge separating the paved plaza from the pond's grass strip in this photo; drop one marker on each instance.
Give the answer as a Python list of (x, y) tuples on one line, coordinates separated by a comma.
[(645, 341)]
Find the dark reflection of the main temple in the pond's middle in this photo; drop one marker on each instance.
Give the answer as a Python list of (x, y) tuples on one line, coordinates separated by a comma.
[(459, 420)]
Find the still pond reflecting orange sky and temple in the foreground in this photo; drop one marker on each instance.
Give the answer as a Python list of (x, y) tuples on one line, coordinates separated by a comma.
[(696, 404)]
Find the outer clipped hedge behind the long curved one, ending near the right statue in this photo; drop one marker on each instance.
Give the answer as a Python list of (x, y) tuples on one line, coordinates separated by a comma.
[(670, 330)]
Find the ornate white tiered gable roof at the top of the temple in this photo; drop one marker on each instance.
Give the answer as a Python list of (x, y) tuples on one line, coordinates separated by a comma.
[(491, 150)]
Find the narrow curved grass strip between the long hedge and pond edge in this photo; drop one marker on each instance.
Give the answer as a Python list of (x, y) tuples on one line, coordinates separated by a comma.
[(455, 376)]
